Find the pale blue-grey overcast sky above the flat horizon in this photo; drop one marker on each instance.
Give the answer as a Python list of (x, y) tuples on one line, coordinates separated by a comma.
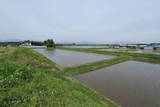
[(100, 21)]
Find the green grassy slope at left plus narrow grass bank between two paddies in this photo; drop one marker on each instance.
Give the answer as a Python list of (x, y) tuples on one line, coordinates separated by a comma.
[(29, 79)]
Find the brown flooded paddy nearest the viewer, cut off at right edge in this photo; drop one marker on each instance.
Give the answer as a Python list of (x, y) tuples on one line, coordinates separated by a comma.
[(130, 84)]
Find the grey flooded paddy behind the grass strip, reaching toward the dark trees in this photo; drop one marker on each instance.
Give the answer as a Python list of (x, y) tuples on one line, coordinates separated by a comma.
[(71, 58)]
